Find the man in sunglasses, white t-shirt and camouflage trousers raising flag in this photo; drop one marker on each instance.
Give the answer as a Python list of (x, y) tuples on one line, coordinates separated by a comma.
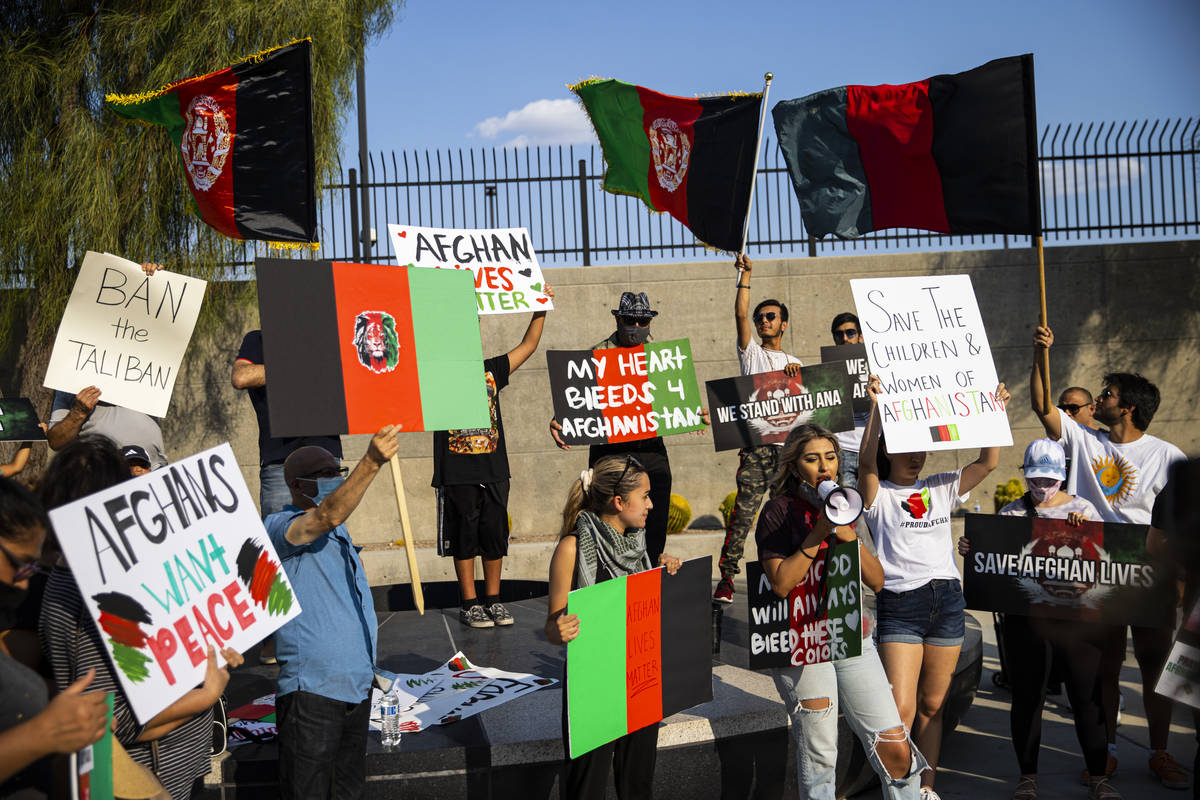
[(758, 465)]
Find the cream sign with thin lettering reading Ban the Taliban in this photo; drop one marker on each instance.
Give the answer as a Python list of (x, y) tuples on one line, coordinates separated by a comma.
[(125, 333)]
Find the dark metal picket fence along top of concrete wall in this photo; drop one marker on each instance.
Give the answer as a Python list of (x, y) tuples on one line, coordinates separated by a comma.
[(1107, 182)]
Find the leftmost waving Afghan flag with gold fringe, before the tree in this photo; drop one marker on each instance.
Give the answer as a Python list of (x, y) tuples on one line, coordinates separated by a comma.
[(245, 140)]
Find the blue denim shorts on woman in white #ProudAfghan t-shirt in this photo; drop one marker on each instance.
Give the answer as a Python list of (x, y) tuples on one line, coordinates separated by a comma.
[(929, 615)]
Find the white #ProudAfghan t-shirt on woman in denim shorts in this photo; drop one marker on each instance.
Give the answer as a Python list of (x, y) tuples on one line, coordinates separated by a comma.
[(911, 526)]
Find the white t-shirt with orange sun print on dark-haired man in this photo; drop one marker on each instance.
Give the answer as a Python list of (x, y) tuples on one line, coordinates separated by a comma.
[(1120, 479)]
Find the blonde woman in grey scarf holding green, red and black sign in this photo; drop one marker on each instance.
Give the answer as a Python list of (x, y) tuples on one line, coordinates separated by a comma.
[(604, 538)]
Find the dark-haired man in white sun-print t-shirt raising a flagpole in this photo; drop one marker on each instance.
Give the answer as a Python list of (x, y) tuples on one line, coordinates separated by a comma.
[(1121, 472)]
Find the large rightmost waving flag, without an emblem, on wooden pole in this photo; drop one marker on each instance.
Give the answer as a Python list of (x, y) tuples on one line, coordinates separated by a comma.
[(953, 154)]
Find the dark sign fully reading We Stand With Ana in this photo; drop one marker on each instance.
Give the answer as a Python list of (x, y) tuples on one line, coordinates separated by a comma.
[(763, 410)]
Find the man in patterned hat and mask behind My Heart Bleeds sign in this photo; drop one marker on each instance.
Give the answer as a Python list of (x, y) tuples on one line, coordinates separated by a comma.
[(634, 316)]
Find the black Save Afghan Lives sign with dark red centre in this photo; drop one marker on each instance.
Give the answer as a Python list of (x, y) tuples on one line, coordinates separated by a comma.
[(1037, 567)]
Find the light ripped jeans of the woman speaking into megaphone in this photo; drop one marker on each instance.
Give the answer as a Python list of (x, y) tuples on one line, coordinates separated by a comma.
[(861, 689)]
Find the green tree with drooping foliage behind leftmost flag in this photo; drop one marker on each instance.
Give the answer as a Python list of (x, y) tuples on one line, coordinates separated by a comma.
[(75, 177)]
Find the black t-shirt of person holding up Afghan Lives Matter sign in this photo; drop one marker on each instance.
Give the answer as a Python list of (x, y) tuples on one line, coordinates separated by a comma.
[(476, 455)]
